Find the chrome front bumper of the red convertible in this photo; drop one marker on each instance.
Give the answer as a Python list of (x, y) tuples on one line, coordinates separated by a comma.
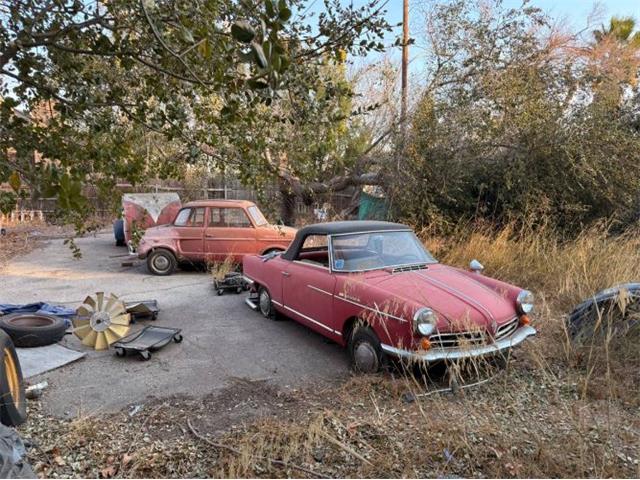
[(438, 354)]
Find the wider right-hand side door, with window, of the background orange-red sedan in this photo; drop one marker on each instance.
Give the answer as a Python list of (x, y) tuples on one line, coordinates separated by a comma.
[(229, 233)]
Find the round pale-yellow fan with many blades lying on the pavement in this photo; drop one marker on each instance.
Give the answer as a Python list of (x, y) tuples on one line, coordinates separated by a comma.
[(99, 323)]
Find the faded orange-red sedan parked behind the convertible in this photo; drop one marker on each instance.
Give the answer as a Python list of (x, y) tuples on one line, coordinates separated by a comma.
[(211, 231)]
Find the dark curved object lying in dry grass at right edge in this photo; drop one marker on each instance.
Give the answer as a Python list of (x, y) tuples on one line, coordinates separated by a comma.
[(615, 310)]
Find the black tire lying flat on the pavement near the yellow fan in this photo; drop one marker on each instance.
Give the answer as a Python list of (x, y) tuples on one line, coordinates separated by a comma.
[(33, 329)]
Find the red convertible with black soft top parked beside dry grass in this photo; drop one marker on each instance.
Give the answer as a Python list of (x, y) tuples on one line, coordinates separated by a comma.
[(374, 288)]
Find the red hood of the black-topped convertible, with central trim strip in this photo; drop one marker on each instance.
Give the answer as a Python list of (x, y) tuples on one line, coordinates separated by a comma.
[(458, 299)]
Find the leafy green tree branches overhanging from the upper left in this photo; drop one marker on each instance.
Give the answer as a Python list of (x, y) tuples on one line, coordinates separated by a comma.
[(209, 74)]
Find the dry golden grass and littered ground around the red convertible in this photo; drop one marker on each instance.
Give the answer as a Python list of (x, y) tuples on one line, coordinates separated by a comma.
[(555, 411)]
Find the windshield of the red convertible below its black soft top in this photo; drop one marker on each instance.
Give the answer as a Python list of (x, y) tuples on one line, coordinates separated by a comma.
[(375, 250)]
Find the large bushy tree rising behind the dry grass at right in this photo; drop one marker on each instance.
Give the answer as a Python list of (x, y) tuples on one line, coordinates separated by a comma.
[(510, 132)]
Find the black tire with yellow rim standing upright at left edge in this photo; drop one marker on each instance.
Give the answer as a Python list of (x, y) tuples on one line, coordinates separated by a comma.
[(13, 405)]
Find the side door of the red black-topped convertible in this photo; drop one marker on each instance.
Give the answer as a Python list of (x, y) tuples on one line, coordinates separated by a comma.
[(308, 287)]
